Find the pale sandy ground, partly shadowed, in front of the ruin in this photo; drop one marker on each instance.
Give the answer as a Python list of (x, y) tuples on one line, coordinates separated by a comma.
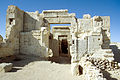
[(34, 68)]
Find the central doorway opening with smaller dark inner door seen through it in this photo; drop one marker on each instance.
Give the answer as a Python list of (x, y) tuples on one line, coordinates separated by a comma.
[(60, 44)]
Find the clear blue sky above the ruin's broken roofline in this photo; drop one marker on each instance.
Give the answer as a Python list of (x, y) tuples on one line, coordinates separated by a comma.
[(93, 7)]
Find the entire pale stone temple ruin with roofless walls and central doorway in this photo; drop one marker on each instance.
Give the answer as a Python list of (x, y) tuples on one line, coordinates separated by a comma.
[(85, 42)]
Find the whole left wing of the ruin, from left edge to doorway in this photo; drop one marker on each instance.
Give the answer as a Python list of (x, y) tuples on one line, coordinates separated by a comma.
[(19, 25)]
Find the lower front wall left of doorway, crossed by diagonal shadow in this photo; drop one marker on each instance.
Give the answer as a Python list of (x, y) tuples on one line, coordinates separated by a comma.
[(34, 42)]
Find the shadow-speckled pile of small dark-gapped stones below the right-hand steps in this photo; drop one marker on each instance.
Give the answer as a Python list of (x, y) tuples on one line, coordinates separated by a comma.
[(103, 64)]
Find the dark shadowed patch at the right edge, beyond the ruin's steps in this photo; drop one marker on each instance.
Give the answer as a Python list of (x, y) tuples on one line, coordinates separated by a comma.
[(116, 52)]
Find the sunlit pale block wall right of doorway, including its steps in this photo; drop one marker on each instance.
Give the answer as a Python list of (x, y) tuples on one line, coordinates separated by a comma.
[(91, 40)]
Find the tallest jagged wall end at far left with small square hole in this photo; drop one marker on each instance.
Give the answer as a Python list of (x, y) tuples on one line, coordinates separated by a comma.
[(14, 25)]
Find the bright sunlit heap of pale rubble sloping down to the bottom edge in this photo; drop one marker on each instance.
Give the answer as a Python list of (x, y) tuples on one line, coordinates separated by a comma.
[(90, 71)]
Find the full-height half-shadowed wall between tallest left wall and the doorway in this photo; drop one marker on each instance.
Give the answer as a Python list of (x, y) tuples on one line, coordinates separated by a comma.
[(34, 39)]
